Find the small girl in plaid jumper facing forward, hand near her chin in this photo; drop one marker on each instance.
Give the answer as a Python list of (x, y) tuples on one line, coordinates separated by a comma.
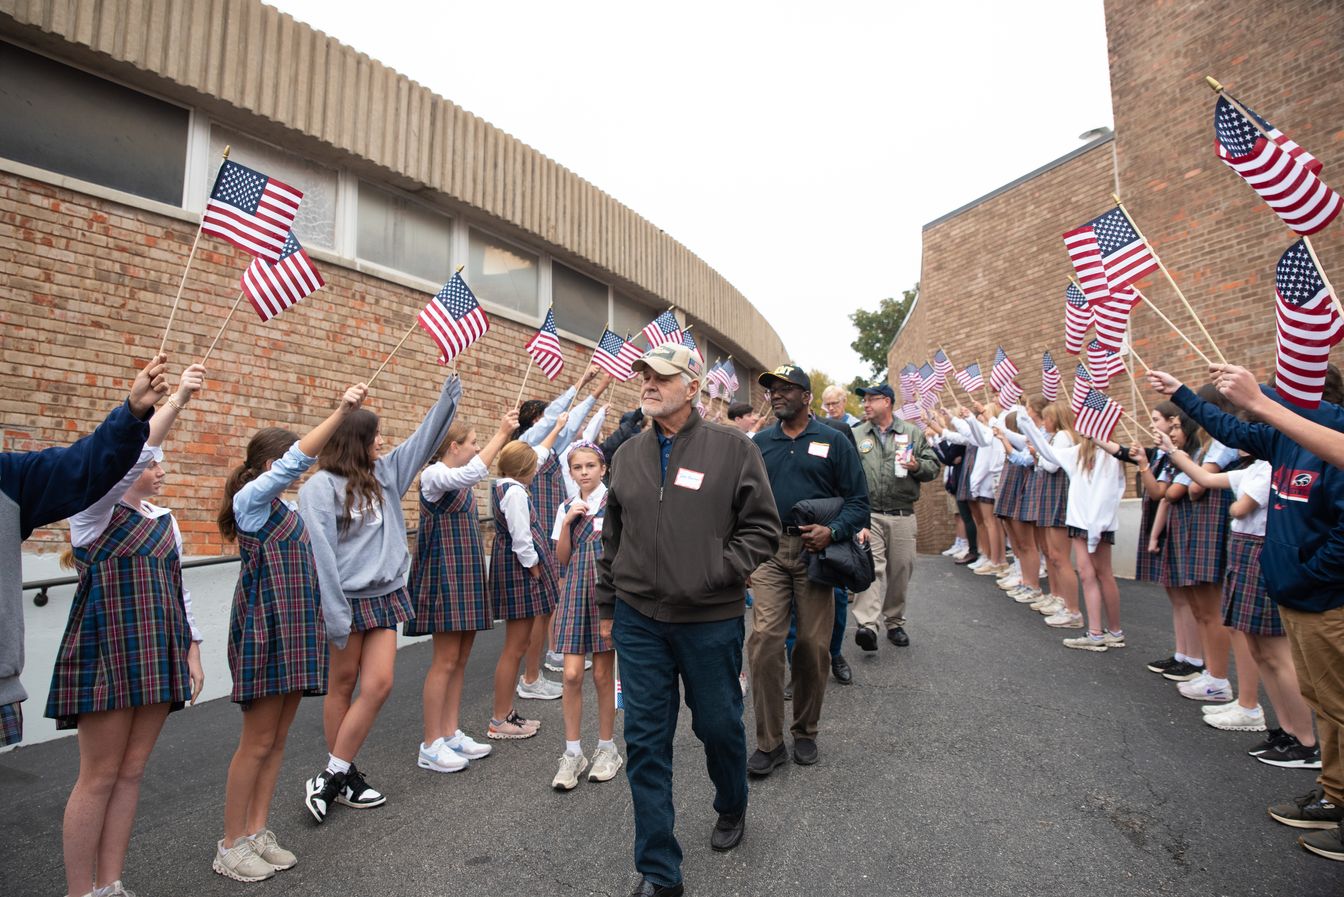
[(579, 544)]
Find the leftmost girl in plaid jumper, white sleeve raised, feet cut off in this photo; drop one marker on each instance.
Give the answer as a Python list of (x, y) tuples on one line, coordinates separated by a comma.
[(130, 654)]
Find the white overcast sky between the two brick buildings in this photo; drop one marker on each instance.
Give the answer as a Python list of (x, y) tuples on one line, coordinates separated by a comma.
[(798, 149)]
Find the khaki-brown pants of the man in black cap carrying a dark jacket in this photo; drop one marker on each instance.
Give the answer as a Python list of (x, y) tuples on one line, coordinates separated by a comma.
[(776, 586)]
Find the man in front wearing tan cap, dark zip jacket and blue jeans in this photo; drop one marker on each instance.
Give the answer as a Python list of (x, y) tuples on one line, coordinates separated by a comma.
[(689, 517)]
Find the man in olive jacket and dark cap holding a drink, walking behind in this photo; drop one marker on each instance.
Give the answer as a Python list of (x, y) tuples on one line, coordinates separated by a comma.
[(886, 444)]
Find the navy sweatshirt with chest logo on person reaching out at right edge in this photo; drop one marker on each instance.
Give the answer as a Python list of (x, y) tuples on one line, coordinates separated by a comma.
[(1303, 561)]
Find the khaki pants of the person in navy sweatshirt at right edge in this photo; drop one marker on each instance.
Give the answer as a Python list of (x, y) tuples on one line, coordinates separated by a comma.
[(1318, 641)]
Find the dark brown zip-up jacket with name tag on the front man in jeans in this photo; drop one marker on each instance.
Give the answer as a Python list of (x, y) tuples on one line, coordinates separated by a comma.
[(681, 548)]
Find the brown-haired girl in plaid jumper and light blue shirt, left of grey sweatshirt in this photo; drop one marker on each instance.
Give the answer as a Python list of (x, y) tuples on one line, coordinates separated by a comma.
[(278, 643)]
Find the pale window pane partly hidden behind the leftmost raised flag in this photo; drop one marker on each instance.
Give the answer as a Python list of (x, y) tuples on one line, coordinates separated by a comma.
[(317, 221)]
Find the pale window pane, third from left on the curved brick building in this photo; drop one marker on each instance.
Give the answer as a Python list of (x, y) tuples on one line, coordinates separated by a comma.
[(403, 235)]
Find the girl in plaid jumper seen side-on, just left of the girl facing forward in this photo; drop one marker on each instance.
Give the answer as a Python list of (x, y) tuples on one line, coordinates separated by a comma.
[(523, 583)]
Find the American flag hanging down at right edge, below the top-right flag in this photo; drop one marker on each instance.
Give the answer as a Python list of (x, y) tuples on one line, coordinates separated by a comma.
[(1307, 327)]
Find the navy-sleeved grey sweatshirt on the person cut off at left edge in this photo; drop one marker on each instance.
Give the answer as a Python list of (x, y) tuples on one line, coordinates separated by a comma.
[(38, 489)]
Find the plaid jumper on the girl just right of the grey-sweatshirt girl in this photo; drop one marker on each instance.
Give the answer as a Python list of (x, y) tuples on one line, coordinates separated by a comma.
[(448, 575)]
